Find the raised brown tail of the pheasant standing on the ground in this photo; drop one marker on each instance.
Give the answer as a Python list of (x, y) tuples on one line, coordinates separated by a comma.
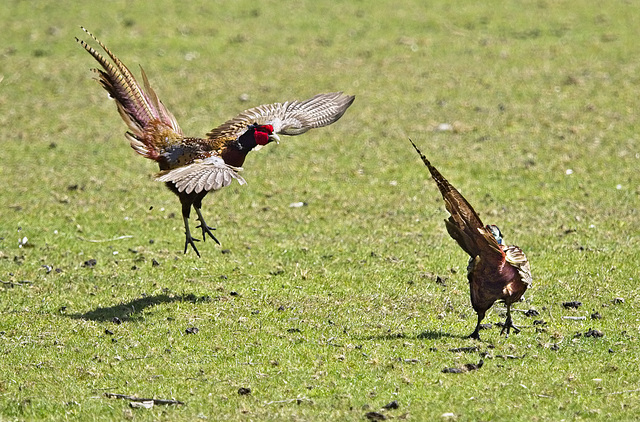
[(464, 225)]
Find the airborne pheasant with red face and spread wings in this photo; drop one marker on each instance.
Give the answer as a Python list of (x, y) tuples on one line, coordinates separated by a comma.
[(191, 167)]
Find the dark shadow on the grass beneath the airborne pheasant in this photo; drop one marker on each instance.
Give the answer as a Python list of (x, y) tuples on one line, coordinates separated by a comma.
[(127, 311)]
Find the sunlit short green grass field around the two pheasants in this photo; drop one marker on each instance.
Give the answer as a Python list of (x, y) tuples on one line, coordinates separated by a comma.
[(332, 310)]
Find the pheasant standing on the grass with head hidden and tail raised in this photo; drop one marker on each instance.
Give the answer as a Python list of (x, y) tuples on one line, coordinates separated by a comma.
[(495, 271)]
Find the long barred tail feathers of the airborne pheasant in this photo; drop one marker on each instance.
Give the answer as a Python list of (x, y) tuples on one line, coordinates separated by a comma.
[(139, 107)]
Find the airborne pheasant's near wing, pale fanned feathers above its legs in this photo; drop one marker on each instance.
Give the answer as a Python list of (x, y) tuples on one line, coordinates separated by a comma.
[(210, 173)]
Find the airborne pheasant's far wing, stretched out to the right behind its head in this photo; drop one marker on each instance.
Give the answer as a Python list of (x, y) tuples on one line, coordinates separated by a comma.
[(289, 118)]
